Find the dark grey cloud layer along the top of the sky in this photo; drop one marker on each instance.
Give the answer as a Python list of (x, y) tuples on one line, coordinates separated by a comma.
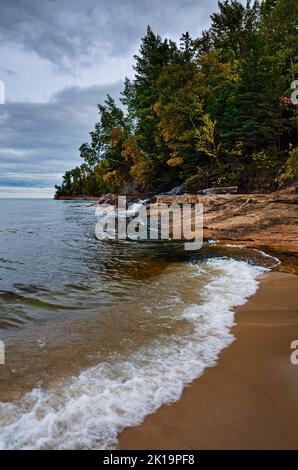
[(85, 30)]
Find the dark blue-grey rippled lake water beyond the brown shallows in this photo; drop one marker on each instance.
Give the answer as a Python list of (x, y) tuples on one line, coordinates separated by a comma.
[(52, 265)]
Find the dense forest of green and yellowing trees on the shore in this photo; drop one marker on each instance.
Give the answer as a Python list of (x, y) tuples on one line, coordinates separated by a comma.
[(210, 111)]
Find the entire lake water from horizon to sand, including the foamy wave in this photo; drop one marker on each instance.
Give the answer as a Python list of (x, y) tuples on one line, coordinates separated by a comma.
[(99, 334)]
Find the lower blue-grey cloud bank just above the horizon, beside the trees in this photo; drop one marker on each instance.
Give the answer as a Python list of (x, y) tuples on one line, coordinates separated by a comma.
[(39, 141)]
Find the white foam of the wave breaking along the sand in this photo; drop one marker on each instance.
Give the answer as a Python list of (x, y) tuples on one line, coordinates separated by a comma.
[(90, 410)]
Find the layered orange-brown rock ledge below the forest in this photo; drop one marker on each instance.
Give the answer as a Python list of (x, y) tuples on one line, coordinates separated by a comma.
[(264, 221)]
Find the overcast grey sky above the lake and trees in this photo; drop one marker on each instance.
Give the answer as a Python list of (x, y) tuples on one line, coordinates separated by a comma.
[(58, 60)]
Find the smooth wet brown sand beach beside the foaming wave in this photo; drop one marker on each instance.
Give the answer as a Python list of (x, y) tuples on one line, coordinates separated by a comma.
[(249, 400)]
